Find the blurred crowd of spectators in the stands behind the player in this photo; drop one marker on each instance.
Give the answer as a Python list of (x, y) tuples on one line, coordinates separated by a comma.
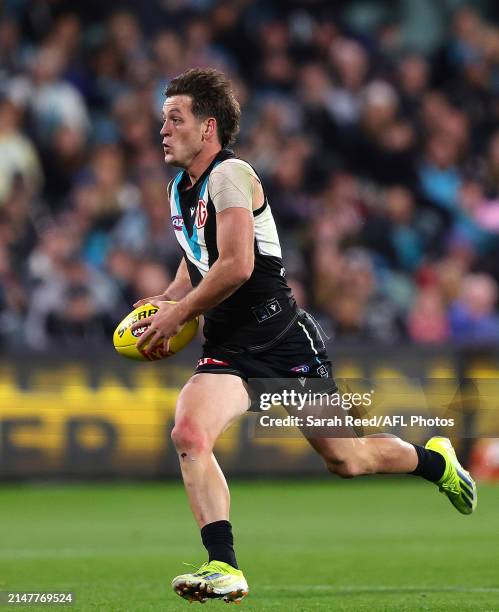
[(380, 159)]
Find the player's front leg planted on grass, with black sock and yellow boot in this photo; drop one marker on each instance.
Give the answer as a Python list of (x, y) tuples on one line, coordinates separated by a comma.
[(207, 405)]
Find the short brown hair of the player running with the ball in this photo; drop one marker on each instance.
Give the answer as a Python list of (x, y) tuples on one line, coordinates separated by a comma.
[(212, 96)]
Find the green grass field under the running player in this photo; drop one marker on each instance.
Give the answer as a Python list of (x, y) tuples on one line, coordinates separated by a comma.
[(320, 545)]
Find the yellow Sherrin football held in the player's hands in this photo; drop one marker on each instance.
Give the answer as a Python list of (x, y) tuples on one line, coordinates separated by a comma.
[(125, 339)]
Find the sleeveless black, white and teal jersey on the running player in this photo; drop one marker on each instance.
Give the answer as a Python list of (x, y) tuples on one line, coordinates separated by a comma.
[(260, 312)]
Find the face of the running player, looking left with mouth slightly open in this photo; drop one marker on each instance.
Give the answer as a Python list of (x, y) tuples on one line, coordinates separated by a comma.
[(182, 132)]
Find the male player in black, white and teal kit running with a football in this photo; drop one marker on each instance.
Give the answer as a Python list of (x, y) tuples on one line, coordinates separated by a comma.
[(232, 273)]
